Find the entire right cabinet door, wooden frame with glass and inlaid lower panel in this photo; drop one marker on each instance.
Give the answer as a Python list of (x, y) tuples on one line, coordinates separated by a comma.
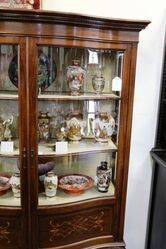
[(79, 98)]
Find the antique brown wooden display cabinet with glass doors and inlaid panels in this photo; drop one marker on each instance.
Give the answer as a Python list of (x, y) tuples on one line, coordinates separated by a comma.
[(66, 96)]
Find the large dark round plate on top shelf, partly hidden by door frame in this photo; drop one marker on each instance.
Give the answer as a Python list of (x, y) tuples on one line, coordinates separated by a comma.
[(47, 71)]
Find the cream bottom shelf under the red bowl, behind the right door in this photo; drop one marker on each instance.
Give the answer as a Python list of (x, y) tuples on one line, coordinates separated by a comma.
[(63, 198)]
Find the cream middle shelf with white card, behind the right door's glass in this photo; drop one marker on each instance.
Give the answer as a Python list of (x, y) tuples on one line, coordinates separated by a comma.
[(75, 148)]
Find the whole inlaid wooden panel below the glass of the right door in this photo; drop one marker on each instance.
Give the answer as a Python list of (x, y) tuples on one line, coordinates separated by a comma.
[(69, 228)]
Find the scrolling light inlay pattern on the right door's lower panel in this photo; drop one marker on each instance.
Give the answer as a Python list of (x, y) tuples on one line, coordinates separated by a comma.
[(76, 226)]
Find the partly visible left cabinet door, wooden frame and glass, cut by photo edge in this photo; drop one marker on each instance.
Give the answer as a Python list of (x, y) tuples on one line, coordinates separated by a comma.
[(13, 138)]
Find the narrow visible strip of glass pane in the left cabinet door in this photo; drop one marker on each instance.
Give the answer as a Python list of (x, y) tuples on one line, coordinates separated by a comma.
[(9, 127)]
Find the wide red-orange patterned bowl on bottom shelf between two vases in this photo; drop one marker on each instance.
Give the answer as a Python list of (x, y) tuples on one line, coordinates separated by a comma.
[(75, 184)]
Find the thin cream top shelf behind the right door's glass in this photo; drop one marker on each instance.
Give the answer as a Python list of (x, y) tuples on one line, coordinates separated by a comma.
[(88, 96)]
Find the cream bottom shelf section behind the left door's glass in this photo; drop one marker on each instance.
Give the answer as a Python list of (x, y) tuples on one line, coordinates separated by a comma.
[(9, 200)]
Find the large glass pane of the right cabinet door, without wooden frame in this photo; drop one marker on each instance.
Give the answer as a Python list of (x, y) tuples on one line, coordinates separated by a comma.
[(79, 97)]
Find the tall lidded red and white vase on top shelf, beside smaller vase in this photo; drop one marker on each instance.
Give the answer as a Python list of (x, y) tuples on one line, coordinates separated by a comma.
[(75, 77)]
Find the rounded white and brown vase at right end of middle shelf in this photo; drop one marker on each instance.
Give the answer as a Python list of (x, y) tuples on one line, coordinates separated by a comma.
[(102, 126)]
